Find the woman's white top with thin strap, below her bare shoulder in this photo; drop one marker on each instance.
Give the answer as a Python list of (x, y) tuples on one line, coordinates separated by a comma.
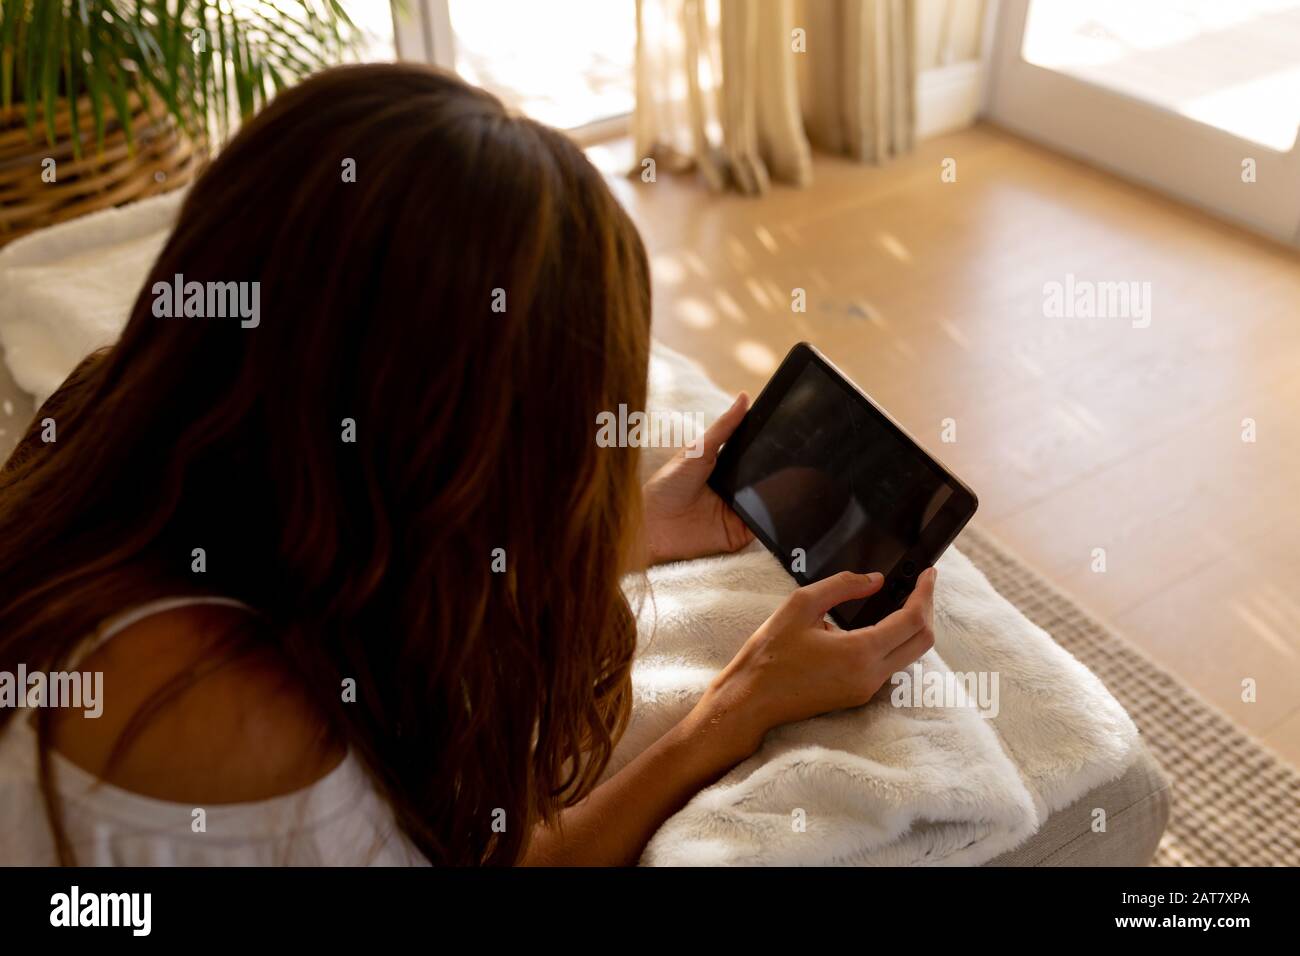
[(339, 821)]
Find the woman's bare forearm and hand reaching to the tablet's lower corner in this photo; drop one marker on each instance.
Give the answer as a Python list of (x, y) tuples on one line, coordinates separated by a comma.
[(794, 668)]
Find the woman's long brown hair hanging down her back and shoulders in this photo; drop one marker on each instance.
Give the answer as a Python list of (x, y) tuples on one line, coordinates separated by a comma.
[(470, 302)]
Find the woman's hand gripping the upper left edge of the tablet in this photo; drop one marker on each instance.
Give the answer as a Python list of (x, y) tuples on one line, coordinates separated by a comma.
[(684, 518)]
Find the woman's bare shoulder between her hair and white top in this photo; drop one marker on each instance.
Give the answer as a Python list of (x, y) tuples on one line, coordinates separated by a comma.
[(210, 726)]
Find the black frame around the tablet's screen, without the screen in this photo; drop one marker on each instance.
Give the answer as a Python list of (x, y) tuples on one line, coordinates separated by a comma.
[(935, 538)]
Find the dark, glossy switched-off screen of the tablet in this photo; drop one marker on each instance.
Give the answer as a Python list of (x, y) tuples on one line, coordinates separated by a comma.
[(831, 477)]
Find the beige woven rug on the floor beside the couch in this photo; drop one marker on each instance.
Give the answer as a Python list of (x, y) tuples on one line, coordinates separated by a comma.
[(1234, 803)]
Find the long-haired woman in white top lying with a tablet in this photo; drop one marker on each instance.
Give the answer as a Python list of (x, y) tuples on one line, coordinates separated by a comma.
[(350, 572)]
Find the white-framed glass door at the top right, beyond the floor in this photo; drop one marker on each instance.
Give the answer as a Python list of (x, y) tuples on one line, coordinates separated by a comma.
[(1197, 98)]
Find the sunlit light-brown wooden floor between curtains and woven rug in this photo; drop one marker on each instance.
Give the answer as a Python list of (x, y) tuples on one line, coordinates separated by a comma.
[(1076, 434)]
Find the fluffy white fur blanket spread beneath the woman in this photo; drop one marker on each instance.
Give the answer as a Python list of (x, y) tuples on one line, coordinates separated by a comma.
[(879, 785)]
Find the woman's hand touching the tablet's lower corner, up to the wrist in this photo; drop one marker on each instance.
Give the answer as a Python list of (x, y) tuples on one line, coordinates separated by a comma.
[(799, 667)]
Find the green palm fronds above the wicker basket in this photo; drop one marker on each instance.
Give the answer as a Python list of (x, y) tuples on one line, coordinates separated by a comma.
[(202, 62)]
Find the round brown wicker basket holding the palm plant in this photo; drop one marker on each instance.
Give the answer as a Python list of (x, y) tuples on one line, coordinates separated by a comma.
[(164, 159)]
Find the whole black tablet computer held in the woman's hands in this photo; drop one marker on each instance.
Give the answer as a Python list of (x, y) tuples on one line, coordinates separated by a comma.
[(830, 483)]
